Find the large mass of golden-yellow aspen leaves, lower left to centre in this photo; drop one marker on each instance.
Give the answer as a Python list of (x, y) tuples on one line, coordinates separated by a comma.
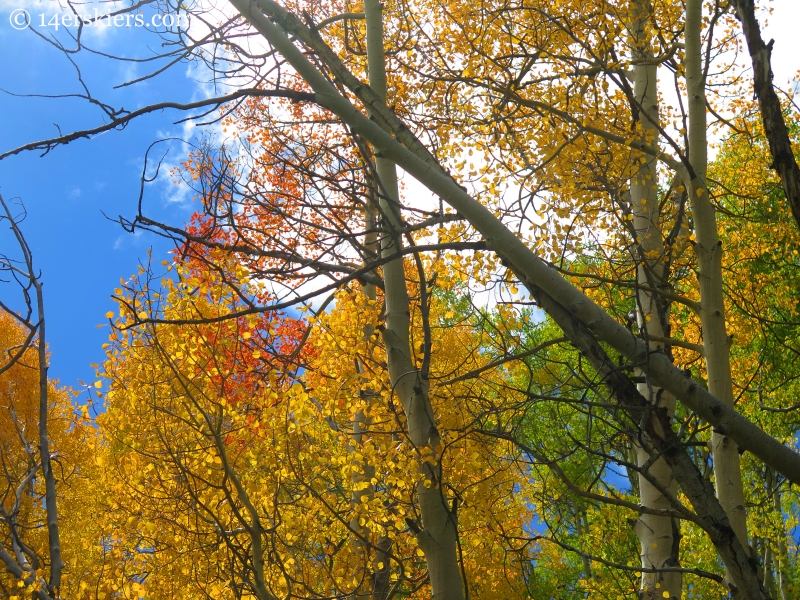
[(221, 482)]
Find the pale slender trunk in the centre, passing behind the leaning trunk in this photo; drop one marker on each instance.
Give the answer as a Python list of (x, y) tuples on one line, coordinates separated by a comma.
[(437, 536)]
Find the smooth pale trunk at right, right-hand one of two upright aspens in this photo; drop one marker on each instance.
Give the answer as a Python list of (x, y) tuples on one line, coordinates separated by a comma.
[(708, 250)]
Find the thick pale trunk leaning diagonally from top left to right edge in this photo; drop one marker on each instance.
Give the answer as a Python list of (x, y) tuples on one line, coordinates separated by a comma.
[(394, 140)]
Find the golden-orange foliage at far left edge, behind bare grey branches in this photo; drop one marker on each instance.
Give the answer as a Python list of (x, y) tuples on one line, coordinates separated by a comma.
[(72, 450)]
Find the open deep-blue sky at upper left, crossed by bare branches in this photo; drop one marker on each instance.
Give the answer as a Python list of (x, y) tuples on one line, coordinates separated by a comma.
[(81, 254)]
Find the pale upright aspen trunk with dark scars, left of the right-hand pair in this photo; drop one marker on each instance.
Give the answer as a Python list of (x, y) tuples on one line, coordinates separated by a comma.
[(657, 535)]
